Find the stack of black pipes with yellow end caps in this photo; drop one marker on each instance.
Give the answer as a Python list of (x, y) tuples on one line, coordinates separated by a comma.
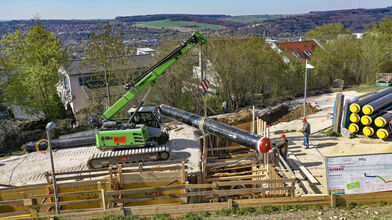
[(371, 115)]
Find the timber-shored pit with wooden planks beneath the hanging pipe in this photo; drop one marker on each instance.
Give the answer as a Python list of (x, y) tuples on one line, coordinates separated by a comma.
[(227, 162)]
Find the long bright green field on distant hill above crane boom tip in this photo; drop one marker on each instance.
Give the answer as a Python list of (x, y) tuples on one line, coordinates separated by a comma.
[(178, 25)]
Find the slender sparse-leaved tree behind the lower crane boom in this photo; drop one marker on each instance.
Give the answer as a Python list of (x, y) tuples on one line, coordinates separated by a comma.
[(104, 54)]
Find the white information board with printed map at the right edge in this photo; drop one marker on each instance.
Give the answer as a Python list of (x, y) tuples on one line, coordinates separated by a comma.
[(359, 173)]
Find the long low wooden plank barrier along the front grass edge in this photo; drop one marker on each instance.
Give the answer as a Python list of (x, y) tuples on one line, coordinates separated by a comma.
[(179, 209)]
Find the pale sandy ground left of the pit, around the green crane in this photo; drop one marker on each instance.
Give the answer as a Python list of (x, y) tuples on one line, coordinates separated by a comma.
[(30, 168)]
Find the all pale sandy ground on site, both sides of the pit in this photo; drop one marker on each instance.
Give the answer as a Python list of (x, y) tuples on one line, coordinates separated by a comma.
[(30, 168)]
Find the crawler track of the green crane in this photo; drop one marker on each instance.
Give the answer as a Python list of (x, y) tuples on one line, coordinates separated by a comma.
[(105, 159)]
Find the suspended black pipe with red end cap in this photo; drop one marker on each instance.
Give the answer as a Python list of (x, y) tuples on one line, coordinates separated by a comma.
[(245, 138)]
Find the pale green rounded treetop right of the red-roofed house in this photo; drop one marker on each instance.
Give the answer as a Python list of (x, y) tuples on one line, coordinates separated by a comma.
[(327, 32)]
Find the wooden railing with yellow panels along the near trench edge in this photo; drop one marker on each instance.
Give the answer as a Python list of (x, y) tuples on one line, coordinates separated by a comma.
[(103, 199)]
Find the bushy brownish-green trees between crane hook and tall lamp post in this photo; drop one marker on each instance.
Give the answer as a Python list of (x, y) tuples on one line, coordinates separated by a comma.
[(244, 68)]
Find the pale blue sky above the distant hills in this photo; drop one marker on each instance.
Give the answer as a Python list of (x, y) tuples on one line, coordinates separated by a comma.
[(109, 9)]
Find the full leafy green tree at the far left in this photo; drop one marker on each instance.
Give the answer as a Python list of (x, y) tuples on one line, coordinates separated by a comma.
[(32, 60)]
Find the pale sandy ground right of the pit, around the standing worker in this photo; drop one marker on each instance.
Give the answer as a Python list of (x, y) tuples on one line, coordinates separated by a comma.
[(322, 145)]
